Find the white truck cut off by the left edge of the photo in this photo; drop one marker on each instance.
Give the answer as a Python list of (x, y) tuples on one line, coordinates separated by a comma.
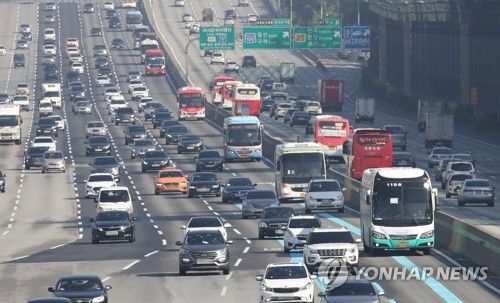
[(10, 123)]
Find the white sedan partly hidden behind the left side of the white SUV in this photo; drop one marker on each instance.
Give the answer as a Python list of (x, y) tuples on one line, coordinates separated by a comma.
[(297, 230)]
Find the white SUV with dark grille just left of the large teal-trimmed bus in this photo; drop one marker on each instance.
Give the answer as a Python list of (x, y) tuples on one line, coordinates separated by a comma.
[(330, 243)]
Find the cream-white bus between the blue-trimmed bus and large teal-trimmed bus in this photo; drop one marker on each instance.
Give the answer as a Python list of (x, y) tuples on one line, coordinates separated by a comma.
[(295, 165)]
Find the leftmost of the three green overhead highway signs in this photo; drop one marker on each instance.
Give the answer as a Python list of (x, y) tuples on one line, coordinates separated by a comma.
[(216, 37)]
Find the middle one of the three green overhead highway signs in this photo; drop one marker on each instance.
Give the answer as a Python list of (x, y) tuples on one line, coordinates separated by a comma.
[(266, 38)]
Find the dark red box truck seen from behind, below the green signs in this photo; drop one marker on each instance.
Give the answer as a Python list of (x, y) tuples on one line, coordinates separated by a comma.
[(331, 94)]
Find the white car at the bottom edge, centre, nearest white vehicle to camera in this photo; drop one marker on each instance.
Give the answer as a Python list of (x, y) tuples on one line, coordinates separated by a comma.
[(285, 280)]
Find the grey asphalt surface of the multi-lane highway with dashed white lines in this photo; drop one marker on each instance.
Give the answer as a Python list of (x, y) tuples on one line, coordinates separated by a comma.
[(44, 218)]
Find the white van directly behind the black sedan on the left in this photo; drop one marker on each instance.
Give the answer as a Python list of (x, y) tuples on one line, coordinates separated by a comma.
[(114, 198)]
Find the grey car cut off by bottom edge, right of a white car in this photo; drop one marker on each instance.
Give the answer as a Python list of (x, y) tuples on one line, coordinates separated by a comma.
[(352, 289)]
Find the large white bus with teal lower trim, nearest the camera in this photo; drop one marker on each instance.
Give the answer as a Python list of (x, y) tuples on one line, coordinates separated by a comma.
[(397, 210)]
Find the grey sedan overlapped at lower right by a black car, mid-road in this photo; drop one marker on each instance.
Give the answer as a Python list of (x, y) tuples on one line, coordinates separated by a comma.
[(256, 200)]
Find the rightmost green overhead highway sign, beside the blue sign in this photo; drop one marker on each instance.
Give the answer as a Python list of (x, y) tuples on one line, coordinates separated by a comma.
[(317, 37)]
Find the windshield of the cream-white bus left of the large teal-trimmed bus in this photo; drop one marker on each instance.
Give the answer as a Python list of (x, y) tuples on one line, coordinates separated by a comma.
[(300, 168)]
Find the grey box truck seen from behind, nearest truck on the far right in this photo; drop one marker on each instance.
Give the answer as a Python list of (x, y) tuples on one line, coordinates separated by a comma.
[(439, 130)]
